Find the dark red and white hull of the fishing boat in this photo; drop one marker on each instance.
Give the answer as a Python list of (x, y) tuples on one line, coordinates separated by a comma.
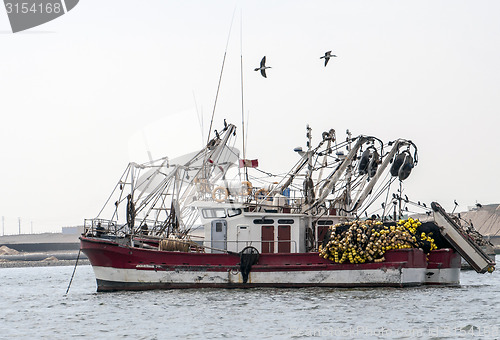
[(119, 267)]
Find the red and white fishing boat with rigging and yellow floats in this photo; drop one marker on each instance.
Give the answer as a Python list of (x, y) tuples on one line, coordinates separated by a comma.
[(215, 219)]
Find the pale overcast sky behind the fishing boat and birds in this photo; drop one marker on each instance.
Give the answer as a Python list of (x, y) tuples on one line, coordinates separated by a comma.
[(83, 95)]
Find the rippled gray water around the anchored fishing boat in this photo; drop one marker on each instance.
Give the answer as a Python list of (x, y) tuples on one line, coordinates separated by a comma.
[(33, 306)]
